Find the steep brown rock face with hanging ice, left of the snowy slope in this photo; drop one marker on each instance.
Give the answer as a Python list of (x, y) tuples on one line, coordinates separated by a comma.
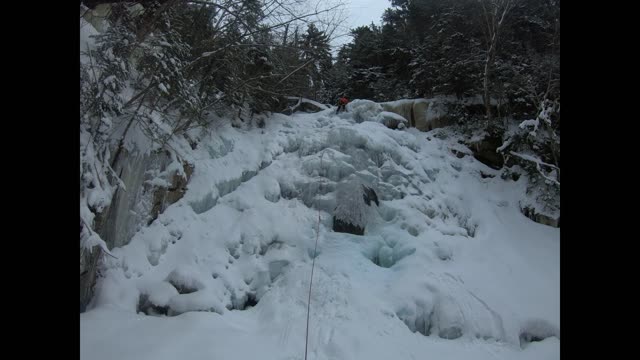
[(141, 202)]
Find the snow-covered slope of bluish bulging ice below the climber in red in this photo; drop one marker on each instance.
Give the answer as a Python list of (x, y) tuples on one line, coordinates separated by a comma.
[(448, 267)]
